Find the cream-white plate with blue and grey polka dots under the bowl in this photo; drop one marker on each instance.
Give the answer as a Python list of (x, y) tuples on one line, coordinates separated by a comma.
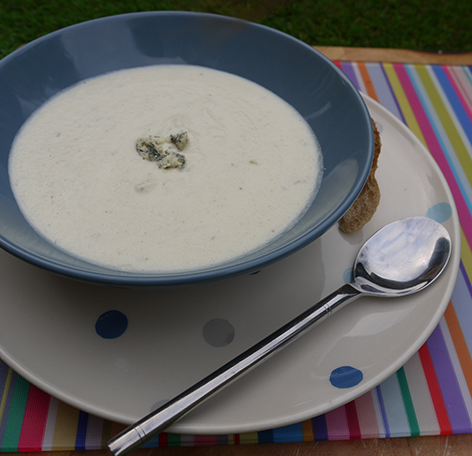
[(48, 334)]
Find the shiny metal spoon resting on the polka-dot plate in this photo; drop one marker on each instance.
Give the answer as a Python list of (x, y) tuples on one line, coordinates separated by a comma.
[(402, 258)]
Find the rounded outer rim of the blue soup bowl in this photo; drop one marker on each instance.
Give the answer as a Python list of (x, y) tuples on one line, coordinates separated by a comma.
[(117, 278)]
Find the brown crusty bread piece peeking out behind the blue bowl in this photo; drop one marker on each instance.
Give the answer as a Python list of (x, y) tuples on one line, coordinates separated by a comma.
[(366, 204)]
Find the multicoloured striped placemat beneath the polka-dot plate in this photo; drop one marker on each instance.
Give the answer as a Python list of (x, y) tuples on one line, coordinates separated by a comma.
[(430, 395)]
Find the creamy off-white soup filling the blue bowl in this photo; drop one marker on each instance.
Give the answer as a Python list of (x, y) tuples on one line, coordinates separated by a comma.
[(251, 167)]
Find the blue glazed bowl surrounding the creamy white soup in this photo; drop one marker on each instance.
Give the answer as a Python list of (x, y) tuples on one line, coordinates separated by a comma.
[(293, 70)]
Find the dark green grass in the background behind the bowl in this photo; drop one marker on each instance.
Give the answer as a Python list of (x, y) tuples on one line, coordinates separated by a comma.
[(432, 25)]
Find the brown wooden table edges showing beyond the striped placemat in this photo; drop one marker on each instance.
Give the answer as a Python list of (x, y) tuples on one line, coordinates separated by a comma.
[(450, 445)]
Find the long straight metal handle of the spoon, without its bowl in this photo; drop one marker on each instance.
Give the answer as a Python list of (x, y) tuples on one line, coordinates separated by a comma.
[(160, 419)]
